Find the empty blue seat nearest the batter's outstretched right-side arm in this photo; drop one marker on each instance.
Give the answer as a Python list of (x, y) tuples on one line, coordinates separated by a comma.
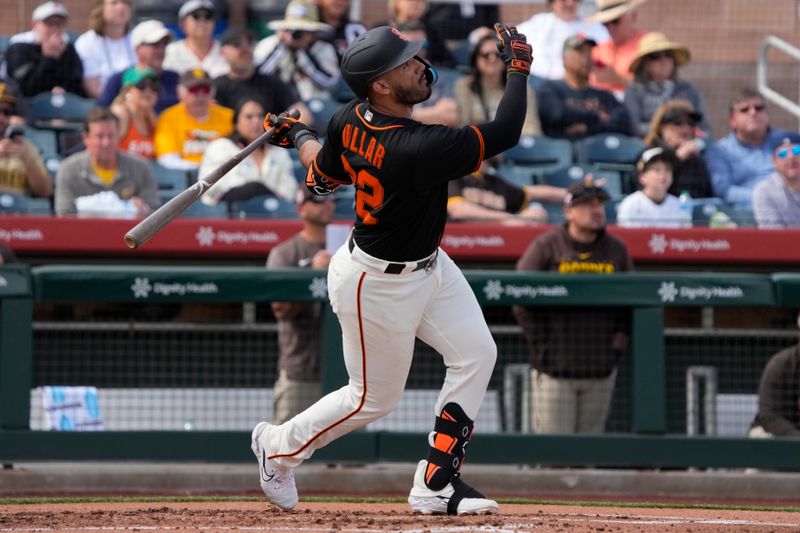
[(533, 156)]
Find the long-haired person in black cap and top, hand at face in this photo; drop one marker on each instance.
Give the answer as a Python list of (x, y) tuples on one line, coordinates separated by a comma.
[(675, 127)]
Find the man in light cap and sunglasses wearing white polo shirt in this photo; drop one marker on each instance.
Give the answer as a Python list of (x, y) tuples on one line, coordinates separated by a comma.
[(199, 49)]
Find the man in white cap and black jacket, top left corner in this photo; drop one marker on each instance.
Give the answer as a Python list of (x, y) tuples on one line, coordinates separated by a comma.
[(50, 62)]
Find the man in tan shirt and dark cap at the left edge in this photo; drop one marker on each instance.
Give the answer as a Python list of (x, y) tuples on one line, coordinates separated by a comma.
[(22, 170)]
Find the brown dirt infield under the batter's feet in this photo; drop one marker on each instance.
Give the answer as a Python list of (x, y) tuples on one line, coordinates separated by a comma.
[(373, 517)]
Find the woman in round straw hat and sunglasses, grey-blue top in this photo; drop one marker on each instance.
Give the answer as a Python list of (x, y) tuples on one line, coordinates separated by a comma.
[(655, 81)]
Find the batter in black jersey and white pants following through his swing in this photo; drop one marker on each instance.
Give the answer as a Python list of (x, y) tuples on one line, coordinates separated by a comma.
[(391, 282)]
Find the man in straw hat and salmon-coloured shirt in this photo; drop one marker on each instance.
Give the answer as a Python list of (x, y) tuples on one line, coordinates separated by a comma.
[(614, 56)]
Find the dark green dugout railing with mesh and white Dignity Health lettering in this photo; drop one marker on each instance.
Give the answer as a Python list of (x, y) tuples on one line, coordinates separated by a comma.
[(183, 360)]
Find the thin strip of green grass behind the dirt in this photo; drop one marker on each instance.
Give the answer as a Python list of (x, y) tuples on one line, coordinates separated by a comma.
[(579, 503)]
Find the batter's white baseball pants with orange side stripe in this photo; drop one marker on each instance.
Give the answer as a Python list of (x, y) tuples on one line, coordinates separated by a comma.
[(380, 315)]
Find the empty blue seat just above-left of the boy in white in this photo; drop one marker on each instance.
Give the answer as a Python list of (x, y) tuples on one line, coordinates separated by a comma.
[(611, 151)]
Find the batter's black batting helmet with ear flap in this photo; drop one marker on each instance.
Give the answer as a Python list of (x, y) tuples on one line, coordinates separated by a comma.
[(376, 52)]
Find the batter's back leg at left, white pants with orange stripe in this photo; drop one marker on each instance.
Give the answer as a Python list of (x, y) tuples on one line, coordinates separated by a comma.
[(379, 314)]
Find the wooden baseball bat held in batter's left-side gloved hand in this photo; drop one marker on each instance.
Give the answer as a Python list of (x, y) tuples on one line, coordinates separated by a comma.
[(155, 221)]
